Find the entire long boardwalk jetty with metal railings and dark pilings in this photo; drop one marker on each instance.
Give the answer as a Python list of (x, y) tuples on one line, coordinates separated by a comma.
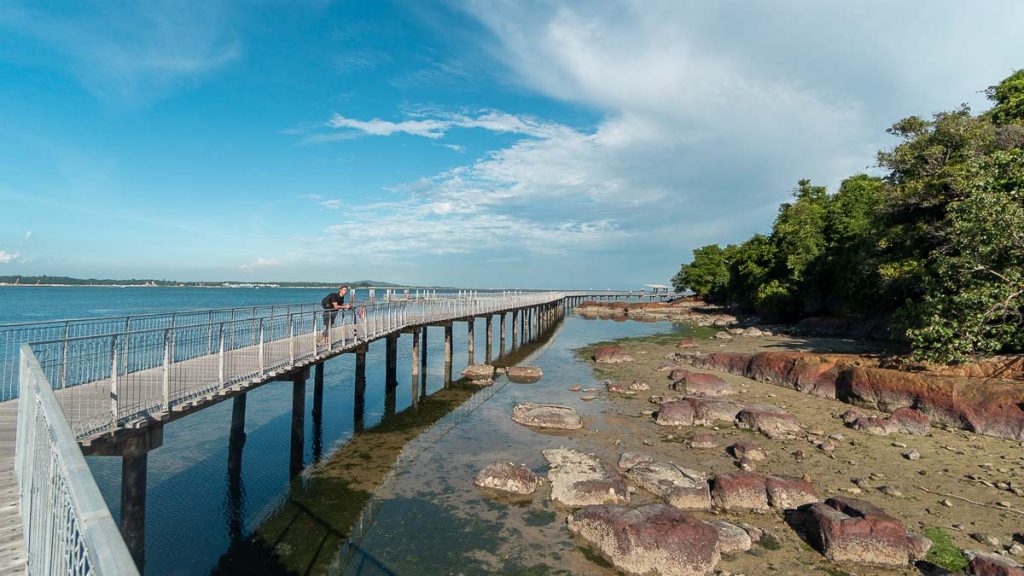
[(108, 386)]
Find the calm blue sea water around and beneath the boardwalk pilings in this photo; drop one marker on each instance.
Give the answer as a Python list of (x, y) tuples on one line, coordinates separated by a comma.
[(403, 471)]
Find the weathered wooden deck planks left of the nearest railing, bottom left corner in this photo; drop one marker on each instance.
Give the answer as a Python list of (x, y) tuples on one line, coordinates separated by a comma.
[(13, 555)]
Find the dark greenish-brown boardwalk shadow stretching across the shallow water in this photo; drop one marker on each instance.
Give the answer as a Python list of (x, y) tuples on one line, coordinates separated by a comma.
[(331, 507)]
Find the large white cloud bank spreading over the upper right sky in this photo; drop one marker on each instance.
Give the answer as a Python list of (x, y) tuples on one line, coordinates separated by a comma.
[(708, 115)]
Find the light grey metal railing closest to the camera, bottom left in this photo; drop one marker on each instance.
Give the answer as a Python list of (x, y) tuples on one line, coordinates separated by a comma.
[(67, 525)]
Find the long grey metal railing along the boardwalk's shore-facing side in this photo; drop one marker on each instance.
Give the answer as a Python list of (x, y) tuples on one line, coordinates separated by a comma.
[(104, 382)]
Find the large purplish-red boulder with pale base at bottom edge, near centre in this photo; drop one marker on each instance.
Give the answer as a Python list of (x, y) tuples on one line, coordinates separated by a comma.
[(652, 540)]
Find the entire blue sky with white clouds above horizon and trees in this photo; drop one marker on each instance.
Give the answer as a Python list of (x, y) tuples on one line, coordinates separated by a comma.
[(477, 144)]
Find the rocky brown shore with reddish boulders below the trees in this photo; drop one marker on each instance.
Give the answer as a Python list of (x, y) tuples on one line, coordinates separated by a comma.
[(746, 451)]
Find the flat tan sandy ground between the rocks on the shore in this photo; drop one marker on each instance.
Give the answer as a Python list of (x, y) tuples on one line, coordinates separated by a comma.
[(953, 463)]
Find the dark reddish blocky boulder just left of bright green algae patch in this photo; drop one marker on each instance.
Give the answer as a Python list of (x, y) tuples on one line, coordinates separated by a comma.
[(851, 530)]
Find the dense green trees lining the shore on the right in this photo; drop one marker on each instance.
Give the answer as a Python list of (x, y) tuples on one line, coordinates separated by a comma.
[(937, 244)]
